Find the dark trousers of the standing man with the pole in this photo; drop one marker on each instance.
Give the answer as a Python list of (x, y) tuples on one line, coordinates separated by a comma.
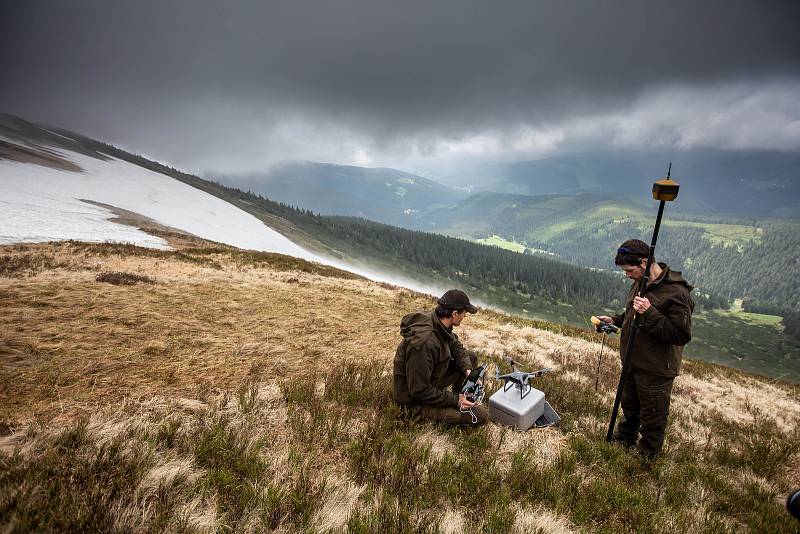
[(645, 408)]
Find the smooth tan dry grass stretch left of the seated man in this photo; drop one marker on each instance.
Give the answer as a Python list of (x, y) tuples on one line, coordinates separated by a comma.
[(70, 344)]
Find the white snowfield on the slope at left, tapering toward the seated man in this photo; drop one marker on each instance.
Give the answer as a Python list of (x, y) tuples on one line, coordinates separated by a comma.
[(43, 204)]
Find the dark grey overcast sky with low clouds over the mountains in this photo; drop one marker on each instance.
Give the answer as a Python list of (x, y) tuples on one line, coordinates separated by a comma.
[(422, 86)]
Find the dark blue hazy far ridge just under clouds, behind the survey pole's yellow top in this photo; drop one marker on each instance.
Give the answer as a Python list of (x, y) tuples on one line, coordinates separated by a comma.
[(754, 184)]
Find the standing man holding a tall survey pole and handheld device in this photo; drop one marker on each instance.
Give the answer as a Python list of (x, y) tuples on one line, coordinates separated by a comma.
[(665, 327)]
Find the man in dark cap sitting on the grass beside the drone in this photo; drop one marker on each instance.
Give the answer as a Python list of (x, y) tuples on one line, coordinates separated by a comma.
[(430, 359)]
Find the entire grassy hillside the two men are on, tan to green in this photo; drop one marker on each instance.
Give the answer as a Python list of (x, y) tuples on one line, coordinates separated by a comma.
[(229, 390)]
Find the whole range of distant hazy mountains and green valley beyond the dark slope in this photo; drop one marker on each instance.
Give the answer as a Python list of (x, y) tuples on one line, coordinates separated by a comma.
[(726, 255)]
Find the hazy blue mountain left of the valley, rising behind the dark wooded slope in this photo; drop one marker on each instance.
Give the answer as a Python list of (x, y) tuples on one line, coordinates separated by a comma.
[(380, 194)]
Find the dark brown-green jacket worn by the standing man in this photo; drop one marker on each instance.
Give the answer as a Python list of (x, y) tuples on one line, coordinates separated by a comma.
[(664, 328)]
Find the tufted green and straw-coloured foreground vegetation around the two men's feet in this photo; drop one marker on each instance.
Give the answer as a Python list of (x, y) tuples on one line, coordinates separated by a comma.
[(273, 458)]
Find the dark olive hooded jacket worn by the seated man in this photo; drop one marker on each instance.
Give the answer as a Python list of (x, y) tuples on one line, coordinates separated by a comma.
[(423, 358)]
